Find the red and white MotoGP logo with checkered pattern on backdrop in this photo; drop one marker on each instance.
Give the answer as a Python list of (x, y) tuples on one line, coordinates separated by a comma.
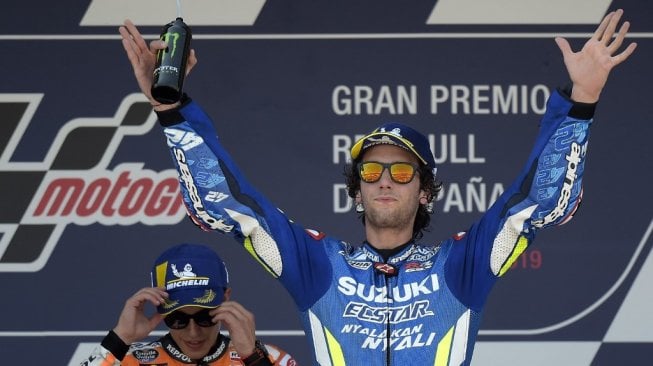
[(73, 183)]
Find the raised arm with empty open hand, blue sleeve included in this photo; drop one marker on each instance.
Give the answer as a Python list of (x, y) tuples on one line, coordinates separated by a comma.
[(548, 190)]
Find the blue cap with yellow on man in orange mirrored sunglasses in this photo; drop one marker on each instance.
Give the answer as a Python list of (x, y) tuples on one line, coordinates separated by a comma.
[(399, 135)]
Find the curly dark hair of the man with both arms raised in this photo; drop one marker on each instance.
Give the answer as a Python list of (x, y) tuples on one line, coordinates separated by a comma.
[(428, 183)]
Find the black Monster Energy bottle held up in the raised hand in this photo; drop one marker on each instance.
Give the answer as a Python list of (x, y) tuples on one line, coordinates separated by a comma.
[(170, 67)]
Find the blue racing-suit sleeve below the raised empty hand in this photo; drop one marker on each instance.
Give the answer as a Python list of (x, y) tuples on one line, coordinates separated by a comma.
[(546, 193)]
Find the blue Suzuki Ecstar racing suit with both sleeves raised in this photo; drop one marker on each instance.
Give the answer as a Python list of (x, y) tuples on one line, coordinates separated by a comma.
[(426, 313)]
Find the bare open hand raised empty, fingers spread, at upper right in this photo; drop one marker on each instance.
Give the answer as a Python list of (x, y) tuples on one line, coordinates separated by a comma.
[(589, 68)]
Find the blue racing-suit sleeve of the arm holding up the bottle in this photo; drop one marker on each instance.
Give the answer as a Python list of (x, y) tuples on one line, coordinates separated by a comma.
[(219, 198)]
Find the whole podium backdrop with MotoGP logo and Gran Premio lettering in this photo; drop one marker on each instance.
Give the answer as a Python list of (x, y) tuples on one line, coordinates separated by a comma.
[(88, 197)]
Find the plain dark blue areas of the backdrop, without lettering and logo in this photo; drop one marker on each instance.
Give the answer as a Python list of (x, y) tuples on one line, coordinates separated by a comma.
[(271, 100)]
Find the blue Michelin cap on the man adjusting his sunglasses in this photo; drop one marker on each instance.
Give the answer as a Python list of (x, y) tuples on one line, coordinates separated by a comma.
[(192, 274)]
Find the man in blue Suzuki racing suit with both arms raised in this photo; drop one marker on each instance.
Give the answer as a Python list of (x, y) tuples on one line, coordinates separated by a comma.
[(392, 301)]
